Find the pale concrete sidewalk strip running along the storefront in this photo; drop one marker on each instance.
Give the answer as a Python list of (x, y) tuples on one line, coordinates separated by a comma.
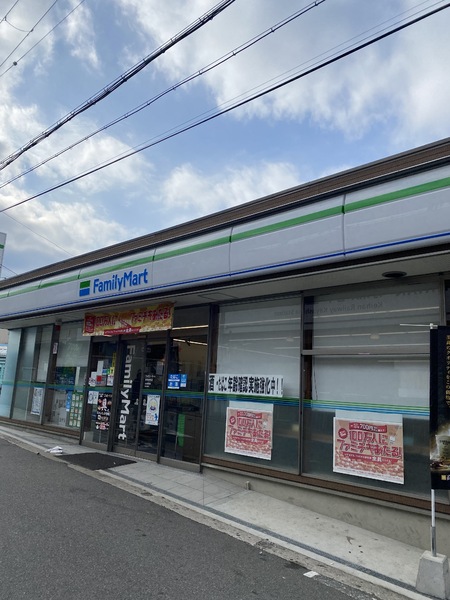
[(373, 558)]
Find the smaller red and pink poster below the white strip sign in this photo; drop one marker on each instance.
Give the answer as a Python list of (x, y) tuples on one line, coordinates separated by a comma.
[(249, 432)]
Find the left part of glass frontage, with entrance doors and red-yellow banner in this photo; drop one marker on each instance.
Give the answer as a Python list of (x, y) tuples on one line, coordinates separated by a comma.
[(130, 380)]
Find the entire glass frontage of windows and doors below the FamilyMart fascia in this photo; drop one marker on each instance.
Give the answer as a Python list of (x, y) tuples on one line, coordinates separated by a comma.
[(330, 386)]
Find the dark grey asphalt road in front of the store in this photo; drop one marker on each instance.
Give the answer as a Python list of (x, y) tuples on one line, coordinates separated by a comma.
[(66, 535)]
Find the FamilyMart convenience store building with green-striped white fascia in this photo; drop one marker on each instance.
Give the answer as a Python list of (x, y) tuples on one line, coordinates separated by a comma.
[(283, 342)]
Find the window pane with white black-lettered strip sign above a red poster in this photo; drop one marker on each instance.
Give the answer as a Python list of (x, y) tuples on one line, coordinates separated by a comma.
[(253, 389)]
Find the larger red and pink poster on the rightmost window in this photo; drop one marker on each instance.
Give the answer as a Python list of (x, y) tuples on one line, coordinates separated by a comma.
[(372, 449)]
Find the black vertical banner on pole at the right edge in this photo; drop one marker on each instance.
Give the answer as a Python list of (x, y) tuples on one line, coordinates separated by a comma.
[(440, 408)]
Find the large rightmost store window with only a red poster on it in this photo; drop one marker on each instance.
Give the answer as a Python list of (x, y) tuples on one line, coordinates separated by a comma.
[(366, 405)]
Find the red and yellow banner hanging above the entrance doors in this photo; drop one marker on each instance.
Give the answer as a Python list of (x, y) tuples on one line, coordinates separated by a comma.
[(138, 320)]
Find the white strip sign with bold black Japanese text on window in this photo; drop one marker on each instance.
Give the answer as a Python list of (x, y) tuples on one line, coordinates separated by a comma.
[(246, 385)]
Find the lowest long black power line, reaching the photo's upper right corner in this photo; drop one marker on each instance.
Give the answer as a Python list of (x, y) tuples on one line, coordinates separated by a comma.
[(234, 106)]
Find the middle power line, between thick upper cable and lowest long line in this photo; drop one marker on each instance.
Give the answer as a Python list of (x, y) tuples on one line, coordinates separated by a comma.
[(216, 63)]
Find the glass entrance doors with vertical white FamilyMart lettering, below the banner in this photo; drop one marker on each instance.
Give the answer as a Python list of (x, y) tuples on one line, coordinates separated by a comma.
[(158, 409)]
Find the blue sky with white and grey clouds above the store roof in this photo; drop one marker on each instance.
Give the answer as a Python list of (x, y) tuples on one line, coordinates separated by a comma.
[(389, 97)]
